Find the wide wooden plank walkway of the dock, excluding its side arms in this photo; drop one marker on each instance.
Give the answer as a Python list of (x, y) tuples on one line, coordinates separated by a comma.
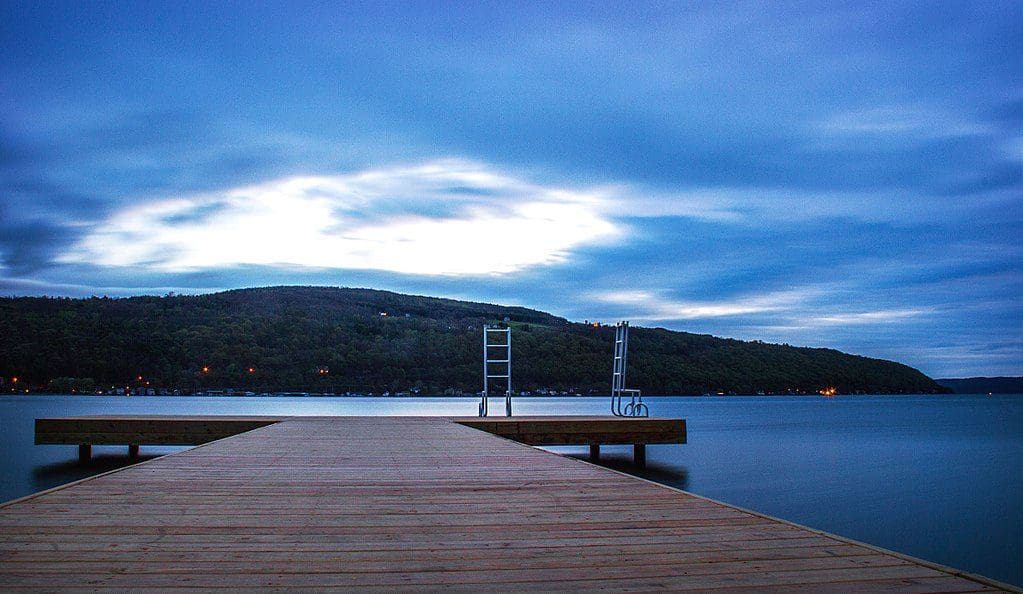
[(416, 505)]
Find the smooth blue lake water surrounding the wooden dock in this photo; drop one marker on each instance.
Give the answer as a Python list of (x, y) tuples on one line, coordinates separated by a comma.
[(936, 477)]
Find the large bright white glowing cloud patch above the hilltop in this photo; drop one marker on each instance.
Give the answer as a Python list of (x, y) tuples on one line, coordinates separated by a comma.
[(441, 218)]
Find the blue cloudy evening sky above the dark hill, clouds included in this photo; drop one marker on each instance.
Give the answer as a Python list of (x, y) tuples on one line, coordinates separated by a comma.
[(832, 174)]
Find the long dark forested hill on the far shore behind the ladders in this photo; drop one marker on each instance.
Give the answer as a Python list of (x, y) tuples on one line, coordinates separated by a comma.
[(336, 341)]
